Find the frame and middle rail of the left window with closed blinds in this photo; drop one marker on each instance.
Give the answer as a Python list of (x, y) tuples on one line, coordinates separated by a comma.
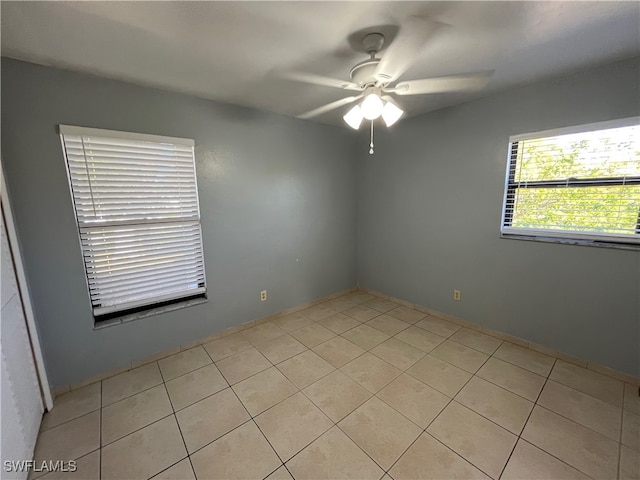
[(159, 303)]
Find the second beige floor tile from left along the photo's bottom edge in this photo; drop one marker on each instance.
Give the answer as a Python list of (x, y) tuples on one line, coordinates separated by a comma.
[(145, 452)]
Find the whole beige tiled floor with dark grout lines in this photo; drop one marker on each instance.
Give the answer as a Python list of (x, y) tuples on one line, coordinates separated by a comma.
[(357, 387)]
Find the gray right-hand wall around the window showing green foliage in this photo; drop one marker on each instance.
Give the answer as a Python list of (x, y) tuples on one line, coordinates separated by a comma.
[(429, 213)]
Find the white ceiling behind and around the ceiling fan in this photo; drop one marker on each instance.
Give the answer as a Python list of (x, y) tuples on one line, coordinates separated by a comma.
[(228, 51)]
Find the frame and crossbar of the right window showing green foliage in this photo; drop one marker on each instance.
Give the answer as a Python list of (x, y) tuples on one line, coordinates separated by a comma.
[(572, 237)]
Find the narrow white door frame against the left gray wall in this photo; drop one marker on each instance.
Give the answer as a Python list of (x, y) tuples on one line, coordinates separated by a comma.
[(36, 349)]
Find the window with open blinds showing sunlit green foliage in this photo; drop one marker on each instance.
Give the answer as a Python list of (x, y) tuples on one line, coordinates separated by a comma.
[(579, 184)]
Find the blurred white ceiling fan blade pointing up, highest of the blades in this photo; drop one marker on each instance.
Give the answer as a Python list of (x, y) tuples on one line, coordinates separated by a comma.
[(404, 48)]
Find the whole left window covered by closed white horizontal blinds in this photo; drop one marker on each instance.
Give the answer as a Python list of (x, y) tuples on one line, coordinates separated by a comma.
[(136, 204)]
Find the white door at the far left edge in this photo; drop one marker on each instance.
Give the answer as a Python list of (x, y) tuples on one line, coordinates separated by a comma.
[(20, 396)]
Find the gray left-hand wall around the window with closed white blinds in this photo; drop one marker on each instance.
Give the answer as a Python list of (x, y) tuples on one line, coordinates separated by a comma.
[(277, 201)]
